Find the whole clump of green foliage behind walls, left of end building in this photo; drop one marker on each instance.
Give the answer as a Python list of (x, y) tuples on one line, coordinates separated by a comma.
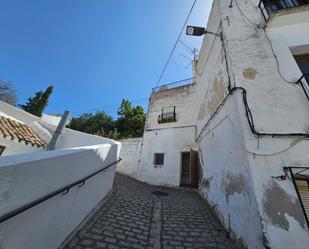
[(130, 122)]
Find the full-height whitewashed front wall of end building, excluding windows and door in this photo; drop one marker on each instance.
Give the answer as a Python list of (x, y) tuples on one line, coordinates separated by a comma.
[(168, 138)]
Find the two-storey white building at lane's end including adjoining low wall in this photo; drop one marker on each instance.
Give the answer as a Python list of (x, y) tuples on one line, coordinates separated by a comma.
[(165, 155)]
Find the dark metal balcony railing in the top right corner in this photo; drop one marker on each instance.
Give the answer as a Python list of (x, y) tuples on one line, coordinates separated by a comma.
[(269, 6)]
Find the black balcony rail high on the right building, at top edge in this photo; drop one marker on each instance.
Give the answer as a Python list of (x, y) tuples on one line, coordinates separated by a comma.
[(283, 5)]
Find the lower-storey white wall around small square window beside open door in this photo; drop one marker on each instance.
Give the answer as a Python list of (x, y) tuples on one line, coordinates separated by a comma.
[(171, 142)]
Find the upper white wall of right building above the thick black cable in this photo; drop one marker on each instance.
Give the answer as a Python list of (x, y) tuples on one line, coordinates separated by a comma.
[(253, 66)]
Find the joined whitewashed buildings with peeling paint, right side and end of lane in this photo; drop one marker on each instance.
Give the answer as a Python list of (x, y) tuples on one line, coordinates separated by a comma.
[(247, 117)]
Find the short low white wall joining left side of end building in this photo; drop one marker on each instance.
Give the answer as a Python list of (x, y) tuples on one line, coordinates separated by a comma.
[(130, 155)]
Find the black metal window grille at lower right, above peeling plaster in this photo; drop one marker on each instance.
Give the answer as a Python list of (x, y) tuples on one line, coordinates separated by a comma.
[(299, 173)]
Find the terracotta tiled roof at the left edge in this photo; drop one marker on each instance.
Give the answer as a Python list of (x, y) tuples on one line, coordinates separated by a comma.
[(12, 129)]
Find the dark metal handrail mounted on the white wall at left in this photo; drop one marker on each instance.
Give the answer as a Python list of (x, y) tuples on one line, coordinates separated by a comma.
[(63, 190)]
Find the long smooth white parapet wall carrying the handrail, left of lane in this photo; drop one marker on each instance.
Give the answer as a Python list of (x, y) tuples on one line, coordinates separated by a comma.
[(28, 177)]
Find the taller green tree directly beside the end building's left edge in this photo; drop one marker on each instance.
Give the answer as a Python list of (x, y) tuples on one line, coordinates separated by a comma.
[(131, 120)]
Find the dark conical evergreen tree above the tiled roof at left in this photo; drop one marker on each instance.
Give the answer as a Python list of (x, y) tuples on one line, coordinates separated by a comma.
[(36, 105)]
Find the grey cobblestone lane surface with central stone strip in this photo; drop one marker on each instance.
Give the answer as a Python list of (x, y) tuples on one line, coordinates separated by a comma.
[(133, 217)]
